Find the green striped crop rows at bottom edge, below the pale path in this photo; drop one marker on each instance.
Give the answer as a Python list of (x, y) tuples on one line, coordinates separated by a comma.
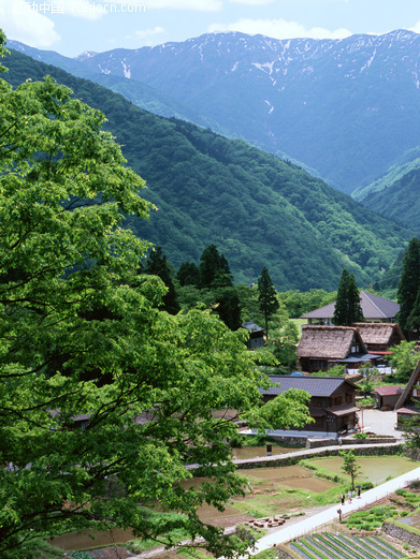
[(327, 546)]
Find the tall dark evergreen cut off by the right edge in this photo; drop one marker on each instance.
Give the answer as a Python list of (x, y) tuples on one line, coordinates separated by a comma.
[(408, 287)]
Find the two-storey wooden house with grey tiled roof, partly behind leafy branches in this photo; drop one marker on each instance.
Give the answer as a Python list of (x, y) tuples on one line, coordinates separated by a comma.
[(332, 405)]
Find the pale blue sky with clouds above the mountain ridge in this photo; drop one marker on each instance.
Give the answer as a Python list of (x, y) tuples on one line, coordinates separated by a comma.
[(71, 27)]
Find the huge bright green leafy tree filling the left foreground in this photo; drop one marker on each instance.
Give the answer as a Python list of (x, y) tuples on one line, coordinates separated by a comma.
[(64, 195)]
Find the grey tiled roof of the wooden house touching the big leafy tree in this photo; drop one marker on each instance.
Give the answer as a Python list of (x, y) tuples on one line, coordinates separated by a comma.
[(316, 386)]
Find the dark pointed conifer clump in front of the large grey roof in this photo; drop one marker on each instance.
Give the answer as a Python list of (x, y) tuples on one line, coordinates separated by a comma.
[(347, 305)]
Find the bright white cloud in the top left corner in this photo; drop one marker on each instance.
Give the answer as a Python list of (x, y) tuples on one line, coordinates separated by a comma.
[(22, 23)]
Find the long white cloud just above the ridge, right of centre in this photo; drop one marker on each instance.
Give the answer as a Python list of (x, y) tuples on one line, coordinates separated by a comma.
[(279, 29)]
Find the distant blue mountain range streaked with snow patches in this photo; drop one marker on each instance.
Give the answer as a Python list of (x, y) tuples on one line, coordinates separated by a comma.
[(348, 108)]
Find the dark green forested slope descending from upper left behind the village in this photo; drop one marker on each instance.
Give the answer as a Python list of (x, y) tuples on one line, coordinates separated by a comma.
[(257, 209)]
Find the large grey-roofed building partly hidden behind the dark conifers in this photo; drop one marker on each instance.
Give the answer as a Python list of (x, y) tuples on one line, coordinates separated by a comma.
[(375, 309)]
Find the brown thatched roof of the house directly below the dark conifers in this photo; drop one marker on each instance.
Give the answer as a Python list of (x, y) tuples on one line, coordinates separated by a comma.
[(328, 342)]
